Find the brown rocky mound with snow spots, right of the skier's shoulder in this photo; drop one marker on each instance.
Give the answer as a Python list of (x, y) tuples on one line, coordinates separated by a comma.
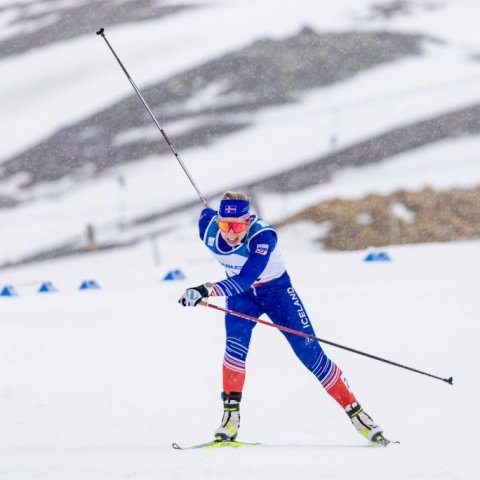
[(400, 218)]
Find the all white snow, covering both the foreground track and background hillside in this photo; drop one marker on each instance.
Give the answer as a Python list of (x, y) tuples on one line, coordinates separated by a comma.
[(97, 384)]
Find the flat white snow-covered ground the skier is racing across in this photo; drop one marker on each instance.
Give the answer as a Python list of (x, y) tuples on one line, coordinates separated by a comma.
[(97, 384)]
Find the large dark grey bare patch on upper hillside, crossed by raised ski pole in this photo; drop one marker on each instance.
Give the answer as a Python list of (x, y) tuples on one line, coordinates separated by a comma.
[(209, 101)]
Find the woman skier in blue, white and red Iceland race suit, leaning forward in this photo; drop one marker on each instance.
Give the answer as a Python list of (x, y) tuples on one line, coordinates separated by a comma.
[(257, 283)]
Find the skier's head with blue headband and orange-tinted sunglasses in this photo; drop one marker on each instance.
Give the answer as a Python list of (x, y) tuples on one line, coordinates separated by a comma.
[(234, 217)]
